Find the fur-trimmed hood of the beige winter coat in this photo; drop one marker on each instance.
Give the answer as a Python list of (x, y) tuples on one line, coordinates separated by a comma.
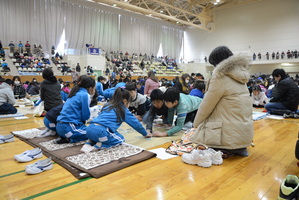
[(235, 67)]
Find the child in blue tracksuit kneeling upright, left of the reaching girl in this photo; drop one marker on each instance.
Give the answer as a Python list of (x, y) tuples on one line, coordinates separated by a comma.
[(71, 121)]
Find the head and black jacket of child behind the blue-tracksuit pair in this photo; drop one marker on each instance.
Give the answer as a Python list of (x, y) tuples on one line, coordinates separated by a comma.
[(50, 90)]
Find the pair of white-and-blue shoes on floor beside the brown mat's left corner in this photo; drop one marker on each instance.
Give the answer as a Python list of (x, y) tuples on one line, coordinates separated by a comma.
[(37, 167)]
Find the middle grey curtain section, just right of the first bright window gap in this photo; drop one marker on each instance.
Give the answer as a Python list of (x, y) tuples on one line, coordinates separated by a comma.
[(86, 25)]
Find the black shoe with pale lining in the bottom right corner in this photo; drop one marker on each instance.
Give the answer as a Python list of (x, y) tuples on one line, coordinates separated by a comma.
[(289, 188)]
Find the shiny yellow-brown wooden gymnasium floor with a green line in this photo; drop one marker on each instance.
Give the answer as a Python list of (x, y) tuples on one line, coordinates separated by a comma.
[(255, 177)]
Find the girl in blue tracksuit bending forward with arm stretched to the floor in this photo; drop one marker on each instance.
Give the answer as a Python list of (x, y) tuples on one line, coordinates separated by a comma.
[(102, 131)]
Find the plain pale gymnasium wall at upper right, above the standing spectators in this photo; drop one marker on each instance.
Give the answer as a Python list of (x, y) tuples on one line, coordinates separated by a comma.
[(266, 25)]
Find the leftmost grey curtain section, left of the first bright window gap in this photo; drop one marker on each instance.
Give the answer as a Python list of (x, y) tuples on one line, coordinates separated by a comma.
[(36, 21)]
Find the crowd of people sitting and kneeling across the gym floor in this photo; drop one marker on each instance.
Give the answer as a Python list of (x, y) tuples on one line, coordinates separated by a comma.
[(219, 110)]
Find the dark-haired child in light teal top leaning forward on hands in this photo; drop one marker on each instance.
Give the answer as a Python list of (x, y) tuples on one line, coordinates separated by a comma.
[(185, 107)]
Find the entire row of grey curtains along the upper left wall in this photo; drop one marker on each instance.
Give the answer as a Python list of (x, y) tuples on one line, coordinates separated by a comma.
[(43, 21)]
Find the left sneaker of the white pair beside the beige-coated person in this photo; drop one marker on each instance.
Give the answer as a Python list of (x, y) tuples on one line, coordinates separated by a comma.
[(198, 157)]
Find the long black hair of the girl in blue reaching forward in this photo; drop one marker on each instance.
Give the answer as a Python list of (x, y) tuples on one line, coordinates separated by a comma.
[(117, 103)]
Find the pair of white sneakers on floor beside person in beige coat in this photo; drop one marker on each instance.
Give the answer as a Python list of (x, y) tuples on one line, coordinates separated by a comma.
[(203, 158)]
